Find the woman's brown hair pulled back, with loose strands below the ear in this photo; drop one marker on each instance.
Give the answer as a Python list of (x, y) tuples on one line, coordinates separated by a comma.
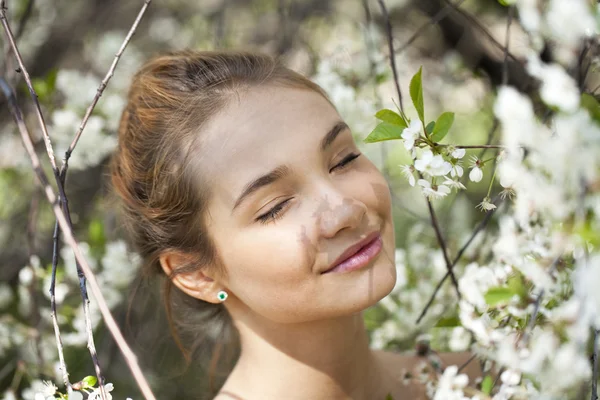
[(163, 201)]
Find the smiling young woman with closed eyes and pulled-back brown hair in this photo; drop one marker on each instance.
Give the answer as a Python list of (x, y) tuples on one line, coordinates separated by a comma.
[(243, 186)]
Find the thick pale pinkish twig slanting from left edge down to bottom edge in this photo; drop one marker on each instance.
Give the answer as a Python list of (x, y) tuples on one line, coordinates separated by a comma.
[(109, 320)]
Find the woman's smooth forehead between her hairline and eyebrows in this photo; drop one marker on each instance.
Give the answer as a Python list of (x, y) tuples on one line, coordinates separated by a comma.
[(260, 129)]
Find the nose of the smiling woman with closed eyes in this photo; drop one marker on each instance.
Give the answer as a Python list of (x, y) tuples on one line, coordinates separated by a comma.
[(337, 211)]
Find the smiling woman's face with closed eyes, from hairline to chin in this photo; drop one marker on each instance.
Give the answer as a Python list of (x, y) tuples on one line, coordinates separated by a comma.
[(275, 263)]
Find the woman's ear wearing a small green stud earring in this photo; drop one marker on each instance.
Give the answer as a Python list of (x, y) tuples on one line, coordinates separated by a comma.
[(196, 283)]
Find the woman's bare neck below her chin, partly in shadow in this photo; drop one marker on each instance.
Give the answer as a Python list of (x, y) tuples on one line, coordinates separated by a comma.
[(328, 359)]
